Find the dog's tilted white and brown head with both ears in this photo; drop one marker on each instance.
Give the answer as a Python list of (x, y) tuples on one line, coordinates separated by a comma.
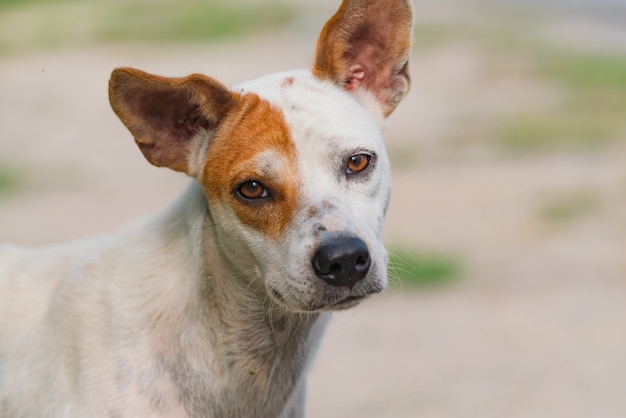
[(293, 164)]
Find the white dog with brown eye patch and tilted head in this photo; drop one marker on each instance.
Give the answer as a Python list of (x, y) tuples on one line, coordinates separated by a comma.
[(214, 306)]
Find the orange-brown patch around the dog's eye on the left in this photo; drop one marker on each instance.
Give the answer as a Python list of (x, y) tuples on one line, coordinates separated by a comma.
[(253, 129)]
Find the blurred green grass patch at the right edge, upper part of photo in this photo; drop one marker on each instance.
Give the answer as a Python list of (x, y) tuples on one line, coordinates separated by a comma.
[(592, 111)]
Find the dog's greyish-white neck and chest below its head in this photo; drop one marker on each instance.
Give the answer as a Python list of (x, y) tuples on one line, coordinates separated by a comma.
[(223, 327)]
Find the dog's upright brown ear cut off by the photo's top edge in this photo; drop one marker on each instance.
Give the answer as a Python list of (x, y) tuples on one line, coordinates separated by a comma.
[(366, 45)]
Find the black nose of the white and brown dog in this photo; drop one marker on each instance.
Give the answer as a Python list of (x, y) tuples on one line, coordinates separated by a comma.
[(342, 261)]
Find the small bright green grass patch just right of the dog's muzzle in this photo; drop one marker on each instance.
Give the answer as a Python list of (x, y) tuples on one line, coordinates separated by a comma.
[(422, 269)]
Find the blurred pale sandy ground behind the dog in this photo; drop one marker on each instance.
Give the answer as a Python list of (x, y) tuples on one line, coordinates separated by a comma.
[(537, 327)]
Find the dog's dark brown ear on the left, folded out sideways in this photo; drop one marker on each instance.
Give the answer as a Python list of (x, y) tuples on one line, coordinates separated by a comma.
[(165, 114)]
